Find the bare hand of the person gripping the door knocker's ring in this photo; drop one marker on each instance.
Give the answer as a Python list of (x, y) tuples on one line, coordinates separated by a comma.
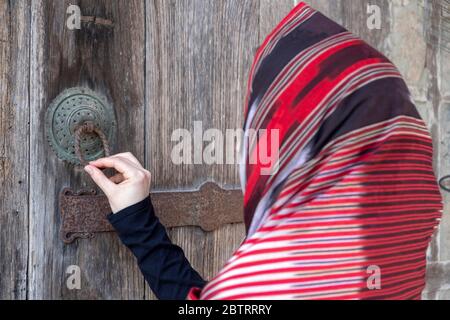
[(129, 186)]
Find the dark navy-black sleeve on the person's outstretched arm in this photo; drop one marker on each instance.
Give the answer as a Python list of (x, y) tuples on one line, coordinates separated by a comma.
[(162, 263)]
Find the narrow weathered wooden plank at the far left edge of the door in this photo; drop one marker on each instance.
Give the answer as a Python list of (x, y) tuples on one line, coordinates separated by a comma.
[(14, 114)]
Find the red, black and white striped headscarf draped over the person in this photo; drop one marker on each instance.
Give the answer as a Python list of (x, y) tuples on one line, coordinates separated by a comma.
[(351, 203)]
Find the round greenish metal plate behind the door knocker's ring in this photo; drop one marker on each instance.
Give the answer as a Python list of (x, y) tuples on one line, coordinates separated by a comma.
[(72, 108)]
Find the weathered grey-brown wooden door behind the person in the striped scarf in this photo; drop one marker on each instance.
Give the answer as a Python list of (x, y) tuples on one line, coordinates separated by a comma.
[(163, 65)]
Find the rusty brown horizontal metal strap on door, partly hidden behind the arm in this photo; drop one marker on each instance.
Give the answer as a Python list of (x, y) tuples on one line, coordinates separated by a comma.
[(84, 213)]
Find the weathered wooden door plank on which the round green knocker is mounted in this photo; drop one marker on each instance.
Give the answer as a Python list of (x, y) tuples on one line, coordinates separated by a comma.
[(112, 63)]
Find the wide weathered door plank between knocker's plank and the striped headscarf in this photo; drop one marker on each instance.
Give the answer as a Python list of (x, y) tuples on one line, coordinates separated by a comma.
[(198, 57)]
